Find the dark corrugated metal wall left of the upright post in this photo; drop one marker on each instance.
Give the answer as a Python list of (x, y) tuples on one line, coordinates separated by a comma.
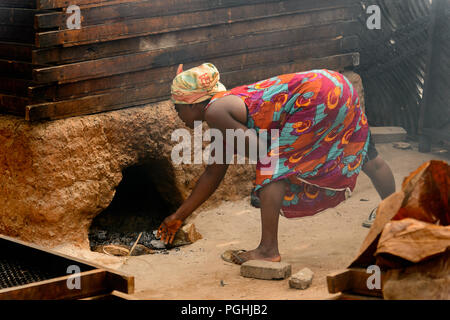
[(393, 61)]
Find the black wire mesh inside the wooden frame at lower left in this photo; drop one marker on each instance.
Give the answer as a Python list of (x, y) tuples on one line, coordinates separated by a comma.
[(17, 272)]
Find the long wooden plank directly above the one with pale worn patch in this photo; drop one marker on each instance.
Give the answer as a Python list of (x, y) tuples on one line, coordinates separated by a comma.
[(155, 25)]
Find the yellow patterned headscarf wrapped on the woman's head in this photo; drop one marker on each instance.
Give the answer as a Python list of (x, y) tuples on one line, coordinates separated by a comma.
[(196, 85)]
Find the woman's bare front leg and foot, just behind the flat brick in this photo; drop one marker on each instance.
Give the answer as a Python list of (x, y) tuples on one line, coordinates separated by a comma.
[(271, 197)]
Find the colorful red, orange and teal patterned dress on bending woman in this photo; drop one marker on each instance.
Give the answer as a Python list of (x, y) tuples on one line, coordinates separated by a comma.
[(323, 137)]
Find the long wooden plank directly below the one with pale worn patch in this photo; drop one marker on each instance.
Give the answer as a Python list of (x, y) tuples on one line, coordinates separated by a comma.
[(151, 59)]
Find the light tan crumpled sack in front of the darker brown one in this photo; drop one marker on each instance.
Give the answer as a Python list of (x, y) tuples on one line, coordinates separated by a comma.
[(413, 240)]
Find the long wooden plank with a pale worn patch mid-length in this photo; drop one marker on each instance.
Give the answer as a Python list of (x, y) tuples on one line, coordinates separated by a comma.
[(63, 55)]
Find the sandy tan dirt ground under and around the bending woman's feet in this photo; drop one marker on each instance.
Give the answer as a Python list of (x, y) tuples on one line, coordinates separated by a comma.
[(325, 243)]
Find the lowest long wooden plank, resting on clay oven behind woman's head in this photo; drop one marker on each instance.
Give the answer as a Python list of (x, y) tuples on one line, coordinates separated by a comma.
[(127, 97)]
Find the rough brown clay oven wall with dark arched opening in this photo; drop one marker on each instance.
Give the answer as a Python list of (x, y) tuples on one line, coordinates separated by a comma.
[(56, 177)]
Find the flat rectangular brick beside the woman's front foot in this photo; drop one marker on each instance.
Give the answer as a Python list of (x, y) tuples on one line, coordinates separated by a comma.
[(265, 270)]
